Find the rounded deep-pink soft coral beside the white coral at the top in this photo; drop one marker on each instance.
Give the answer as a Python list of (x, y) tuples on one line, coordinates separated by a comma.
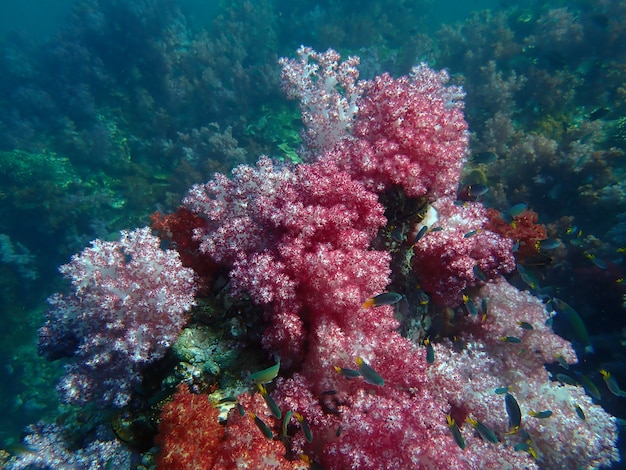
[(410, 132)]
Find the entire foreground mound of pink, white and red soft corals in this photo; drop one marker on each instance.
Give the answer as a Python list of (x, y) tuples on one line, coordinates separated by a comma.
[(306, 244)]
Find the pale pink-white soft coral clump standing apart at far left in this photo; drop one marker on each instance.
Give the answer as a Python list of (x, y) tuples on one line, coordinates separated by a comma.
[(127, 308)]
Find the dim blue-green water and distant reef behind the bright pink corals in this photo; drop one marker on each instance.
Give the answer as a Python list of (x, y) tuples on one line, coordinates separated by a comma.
[(111, 110)]
